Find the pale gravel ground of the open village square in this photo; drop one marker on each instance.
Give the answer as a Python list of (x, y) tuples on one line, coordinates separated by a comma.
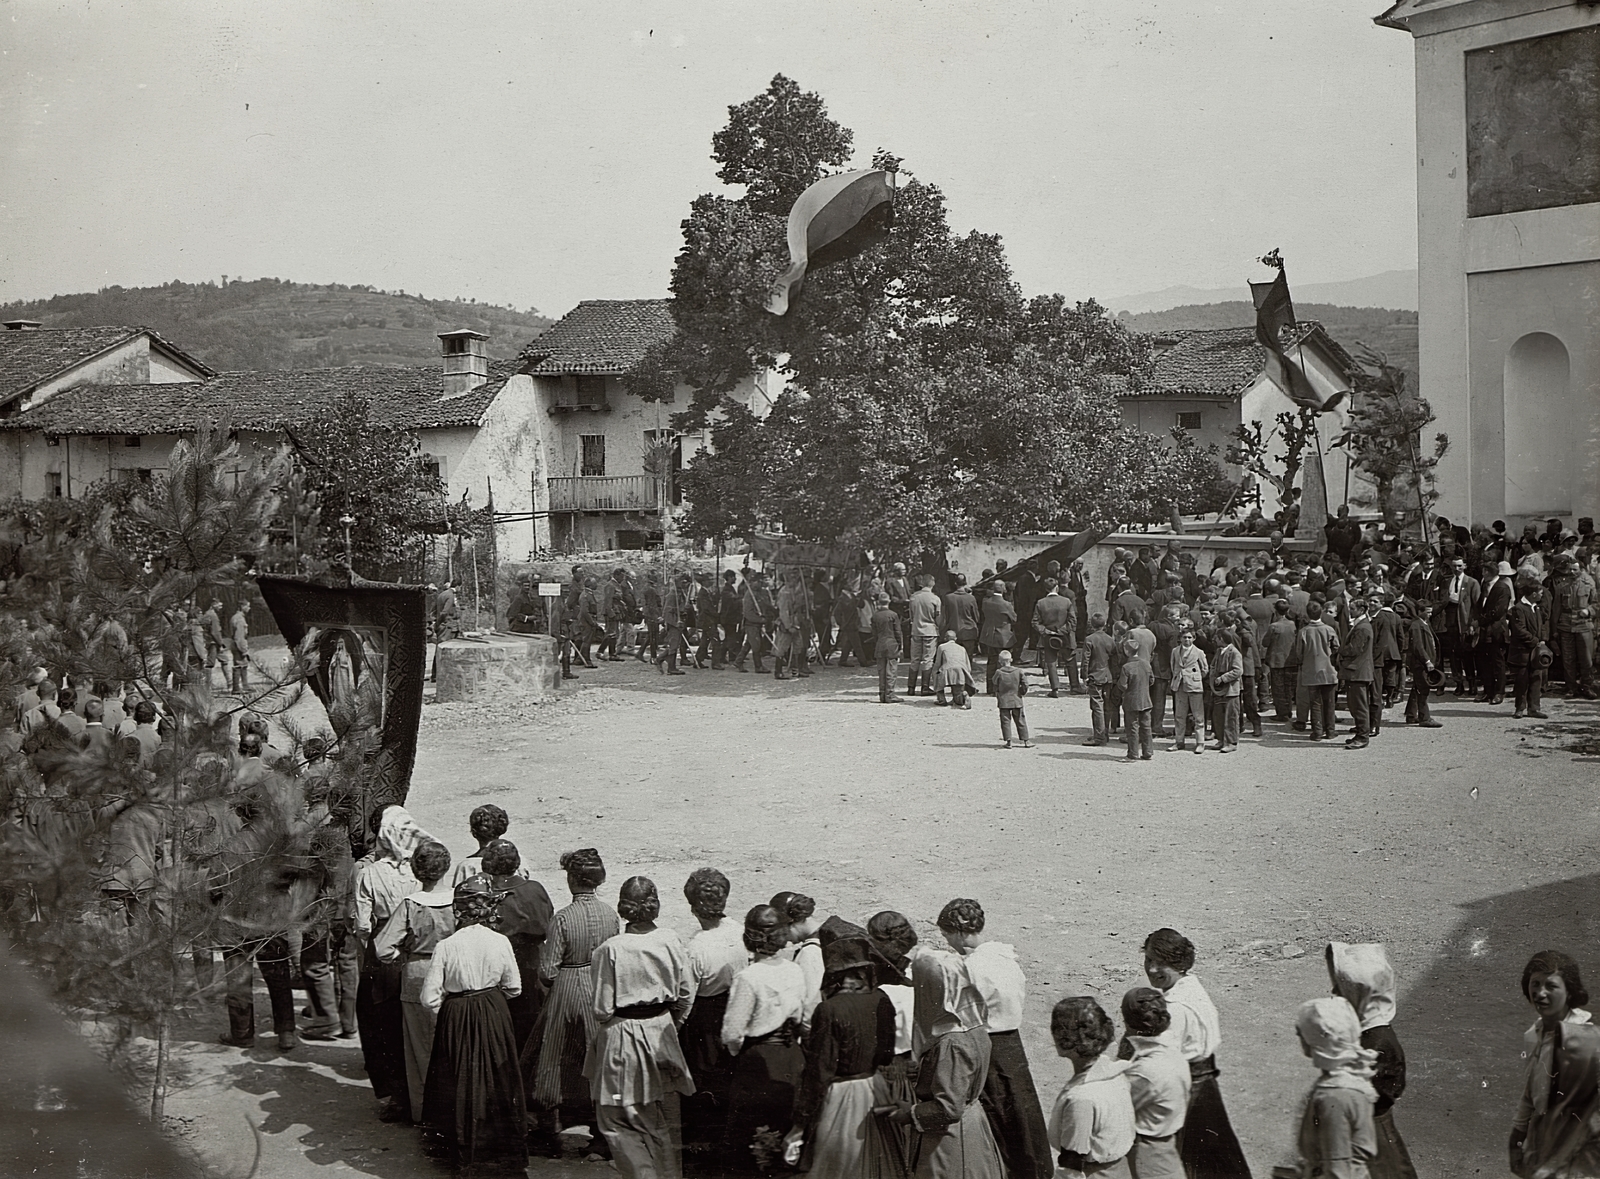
[(1463, 849)]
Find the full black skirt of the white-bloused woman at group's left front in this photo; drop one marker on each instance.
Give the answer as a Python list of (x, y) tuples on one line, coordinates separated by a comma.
[(474, 1098)]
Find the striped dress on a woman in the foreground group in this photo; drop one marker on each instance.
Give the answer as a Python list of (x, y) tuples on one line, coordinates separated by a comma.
[(569, 1020)]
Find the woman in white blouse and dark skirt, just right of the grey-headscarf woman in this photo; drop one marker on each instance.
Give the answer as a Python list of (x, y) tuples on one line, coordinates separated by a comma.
[(1010, 1098)]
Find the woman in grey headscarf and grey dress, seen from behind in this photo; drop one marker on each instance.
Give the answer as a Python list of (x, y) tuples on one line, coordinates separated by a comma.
[(954, 1140)]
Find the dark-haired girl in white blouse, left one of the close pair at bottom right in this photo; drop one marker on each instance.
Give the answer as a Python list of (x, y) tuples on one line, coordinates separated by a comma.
[(1092, 1130)]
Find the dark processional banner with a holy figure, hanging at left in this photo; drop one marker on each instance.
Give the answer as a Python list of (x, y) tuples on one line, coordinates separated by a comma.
[(377, 631)]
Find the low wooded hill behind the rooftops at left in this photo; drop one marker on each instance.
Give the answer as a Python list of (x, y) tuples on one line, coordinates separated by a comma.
[(273, 324)]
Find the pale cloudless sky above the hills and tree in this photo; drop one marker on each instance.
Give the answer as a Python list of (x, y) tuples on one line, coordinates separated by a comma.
[(538, 154)]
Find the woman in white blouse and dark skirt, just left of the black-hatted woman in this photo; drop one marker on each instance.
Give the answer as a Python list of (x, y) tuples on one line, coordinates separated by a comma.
[(762, 1028)]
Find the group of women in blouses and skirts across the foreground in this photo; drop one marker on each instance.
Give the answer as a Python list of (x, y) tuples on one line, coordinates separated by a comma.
[(791, 1041)]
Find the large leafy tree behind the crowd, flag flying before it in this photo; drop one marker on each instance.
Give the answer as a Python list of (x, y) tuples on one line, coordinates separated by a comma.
[(927, 399)]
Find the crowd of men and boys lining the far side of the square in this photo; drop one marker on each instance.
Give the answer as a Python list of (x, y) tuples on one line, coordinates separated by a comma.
[(1281, 634)]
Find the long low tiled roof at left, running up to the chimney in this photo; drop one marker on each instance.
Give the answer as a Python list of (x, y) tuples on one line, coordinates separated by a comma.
[(265, 401)]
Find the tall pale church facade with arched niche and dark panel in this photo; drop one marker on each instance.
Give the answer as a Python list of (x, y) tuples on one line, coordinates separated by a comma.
[(1508, 145)]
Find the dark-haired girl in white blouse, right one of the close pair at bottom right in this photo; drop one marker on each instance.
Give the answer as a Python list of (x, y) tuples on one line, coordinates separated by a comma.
[(1159, 1079)]
